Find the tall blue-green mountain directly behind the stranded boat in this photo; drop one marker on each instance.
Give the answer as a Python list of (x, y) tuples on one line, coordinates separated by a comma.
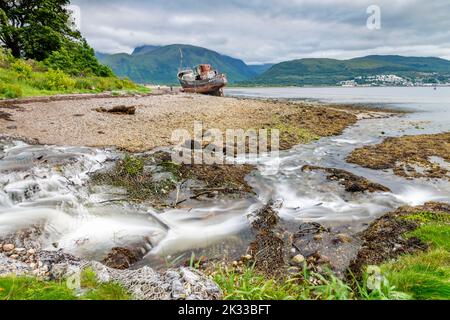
[(152, 64)]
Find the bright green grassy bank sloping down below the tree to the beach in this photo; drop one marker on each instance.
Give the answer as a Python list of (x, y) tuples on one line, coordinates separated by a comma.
[(26, 78)]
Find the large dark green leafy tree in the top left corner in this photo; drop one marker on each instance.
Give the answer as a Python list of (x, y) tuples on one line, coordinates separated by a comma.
[(33, 29)]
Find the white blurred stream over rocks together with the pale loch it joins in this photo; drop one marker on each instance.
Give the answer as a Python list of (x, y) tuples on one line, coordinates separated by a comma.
[(48, 185)]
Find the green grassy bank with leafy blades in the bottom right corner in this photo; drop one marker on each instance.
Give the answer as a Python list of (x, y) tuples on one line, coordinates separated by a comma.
[(423, 275)]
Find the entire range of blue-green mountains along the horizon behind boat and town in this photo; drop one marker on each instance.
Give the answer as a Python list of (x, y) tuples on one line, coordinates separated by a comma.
[(160, 64)]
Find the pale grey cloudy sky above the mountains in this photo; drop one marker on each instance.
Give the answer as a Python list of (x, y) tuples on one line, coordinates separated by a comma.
[(271, 31)]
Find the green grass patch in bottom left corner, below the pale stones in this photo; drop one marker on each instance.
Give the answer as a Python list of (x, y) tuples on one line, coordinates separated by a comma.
[(30, 288)]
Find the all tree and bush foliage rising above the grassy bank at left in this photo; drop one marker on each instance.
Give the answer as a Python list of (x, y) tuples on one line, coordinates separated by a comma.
[(42, 30)]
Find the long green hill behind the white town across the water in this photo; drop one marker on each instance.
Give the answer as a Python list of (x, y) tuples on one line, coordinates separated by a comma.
[(331, 71)]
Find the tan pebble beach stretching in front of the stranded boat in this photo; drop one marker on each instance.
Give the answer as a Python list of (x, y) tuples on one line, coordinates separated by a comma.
[(78, 122)]
